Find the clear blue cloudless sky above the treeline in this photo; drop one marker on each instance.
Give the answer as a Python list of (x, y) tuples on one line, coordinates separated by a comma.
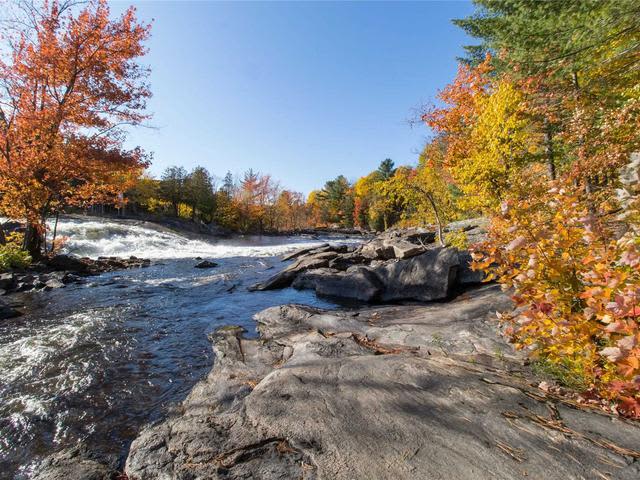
[(303, 91)]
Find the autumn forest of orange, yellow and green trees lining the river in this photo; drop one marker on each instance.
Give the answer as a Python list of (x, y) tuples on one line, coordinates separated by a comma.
[(537, 132)]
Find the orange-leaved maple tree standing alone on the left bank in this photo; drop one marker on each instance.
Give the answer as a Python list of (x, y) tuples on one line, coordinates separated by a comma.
[(69, 82)]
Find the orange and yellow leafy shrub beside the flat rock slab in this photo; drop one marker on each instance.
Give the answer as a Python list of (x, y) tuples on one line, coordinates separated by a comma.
[(577, 283)]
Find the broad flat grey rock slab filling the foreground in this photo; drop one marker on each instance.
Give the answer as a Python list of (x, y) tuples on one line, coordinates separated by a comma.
[(402, 392)]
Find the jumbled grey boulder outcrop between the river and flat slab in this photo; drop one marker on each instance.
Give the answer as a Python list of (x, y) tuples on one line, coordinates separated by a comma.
[(396, 265)]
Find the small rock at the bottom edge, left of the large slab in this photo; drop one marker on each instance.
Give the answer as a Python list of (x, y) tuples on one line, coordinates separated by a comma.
[(76, 464)]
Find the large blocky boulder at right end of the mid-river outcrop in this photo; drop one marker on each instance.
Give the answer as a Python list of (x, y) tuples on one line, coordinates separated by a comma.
[(426, 277)]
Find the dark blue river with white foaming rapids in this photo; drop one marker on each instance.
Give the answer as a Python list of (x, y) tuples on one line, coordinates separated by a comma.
[(94, 362)]
